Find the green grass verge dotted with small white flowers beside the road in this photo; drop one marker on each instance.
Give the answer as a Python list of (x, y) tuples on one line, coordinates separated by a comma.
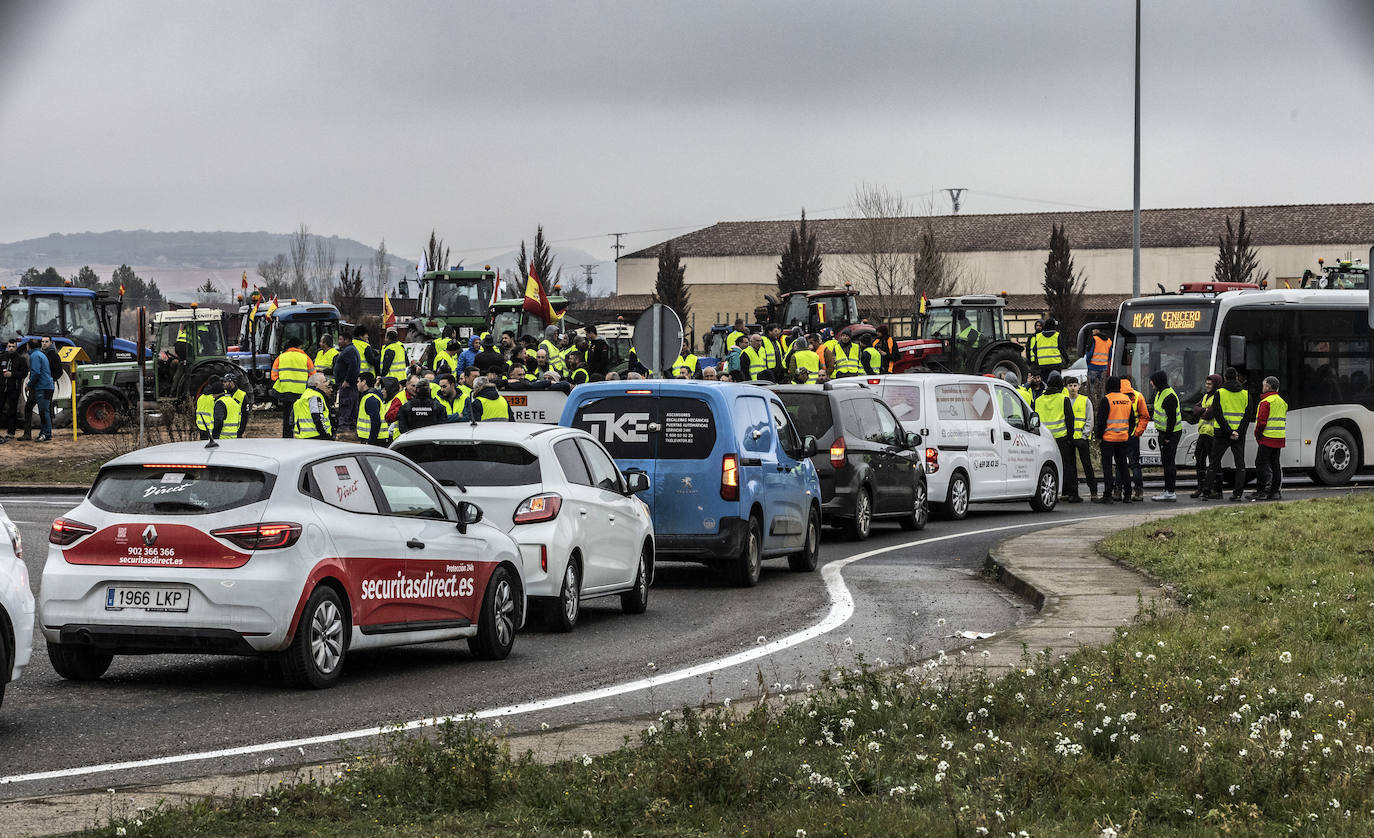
[(1250, 712)]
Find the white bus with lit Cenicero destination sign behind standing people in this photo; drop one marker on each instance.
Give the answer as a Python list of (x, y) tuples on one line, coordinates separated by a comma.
[(1317, 343)]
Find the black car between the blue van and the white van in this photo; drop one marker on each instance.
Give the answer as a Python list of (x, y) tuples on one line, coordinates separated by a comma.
[(868, 465)]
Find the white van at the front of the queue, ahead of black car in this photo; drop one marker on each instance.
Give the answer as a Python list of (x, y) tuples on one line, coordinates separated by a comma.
[(982, 440)]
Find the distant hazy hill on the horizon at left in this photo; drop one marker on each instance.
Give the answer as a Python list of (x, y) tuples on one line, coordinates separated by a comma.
[(178, 262)]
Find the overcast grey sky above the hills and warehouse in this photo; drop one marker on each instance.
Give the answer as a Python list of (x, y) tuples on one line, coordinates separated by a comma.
[(482, 120)]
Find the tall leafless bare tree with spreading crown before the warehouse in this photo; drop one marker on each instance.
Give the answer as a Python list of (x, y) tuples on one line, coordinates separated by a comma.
[(883, 267)]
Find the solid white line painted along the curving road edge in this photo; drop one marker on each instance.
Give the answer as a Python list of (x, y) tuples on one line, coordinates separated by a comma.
[(842, 609)]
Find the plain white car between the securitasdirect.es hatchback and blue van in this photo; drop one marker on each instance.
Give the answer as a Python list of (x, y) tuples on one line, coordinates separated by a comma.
[(582, 531)]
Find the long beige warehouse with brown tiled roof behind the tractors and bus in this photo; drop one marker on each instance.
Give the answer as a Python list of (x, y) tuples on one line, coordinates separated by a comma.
[(733, 264)]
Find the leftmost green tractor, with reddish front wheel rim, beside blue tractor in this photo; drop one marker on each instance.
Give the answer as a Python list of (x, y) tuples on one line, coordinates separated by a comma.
[(189, 352)]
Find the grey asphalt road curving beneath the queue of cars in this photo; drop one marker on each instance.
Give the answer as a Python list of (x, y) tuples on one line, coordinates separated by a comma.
[(892, 598)]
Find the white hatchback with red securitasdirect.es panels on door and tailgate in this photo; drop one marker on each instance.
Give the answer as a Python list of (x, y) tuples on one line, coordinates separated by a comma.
[(304, 550)]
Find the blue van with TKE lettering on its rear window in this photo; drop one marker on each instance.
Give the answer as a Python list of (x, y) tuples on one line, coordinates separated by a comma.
[(732, 480)]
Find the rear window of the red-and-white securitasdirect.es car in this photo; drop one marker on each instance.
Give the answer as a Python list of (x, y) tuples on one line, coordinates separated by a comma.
[(179, 490)]
